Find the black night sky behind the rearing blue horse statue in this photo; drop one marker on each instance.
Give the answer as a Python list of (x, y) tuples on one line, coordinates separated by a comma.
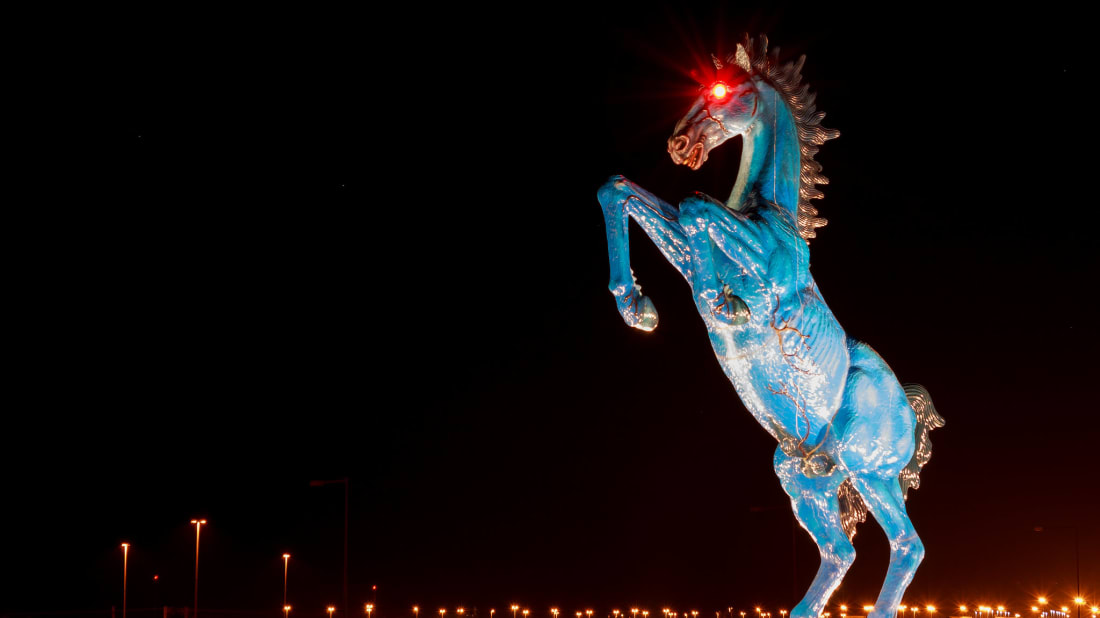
[(314, 246)]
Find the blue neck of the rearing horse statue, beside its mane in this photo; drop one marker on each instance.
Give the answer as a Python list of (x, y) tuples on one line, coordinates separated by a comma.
[(771, 164)]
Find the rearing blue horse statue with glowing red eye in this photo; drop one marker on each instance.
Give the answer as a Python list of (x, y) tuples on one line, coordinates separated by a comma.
[(852, 439)]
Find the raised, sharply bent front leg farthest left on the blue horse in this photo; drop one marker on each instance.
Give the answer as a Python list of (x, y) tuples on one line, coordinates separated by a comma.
[(623, 201)]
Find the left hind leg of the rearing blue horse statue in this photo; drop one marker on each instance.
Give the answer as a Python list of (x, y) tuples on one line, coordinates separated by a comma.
[(817, 507)]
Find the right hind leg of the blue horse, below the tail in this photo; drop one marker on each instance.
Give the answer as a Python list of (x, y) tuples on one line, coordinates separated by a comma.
[(885, 500)]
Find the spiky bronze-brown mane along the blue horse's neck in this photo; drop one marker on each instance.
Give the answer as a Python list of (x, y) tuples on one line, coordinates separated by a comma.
[(787, 80)]
